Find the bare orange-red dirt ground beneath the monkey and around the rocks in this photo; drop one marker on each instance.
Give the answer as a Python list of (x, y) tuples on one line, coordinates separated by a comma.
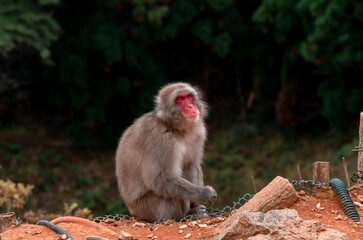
[(325, 208)]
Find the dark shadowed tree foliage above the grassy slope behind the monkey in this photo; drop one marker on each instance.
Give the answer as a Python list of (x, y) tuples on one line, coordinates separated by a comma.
[(294, 62)]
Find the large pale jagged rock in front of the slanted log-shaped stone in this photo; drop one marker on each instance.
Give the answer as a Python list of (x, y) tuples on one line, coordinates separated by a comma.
[(275, 225)]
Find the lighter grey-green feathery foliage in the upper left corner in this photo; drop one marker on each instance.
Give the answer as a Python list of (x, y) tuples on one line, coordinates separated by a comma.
[(29, 23)]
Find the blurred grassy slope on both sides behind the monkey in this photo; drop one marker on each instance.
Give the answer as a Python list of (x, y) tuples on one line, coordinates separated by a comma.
[(83, 181)]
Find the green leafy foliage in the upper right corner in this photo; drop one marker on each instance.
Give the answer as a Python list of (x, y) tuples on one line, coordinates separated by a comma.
[(332, 30)]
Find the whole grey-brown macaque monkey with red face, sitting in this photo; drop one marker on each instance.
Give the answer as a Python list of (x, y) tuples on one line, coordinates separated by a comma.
[(159, 157)]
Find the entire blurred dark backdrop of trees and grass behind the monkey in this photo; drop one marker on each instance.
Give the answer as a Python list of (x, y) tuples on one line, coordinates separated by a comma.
[(282, 78)]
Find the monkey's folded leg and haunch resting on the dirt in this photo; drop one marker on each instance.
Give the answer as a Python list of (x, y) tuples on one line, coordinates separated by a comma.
[(152, 208)]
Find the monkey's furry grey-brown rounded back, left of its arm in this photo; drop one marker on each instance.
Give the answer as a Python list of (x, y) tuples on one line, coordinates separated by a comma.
[(136, 150)]
